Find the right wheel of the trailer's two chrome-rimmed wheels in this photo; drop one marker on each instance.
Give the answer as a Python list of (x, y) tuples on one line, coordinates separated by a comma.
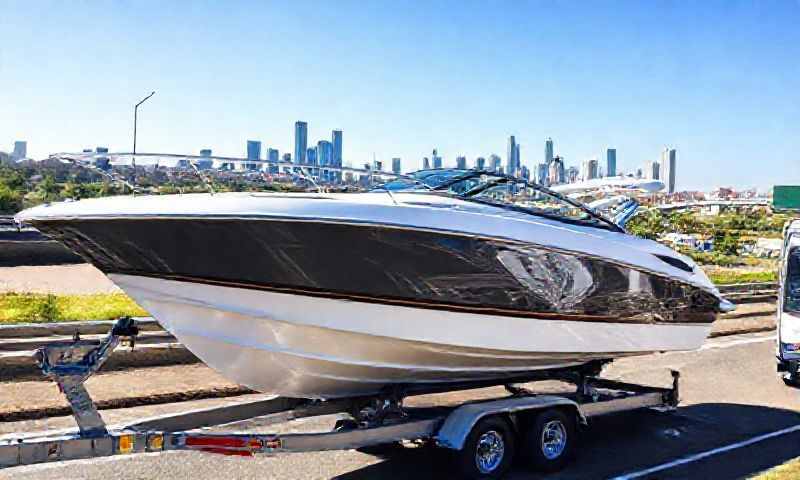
[(550, 440)]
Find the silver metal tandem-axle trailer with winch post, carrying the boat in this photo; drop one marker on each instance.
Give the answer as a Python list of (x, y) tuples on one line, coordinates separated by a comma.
[(482, 433)]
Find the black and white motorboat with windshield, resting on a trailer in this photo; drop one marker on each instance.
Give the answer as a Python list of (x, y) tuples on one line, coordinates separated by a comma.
[(438, 277)]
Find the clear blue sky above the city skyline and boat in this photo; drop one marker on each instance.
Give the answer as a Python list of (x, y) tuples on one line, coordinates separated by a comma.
[(716, 80)]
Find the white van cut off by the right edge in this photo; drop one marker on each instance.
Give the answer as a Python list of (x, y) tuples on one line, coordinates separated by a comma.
[(789, 305)]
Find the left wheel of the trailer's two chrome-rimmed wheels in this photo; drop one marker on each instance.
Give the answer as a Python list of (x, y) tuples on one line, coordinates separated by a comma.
[(488, 449)]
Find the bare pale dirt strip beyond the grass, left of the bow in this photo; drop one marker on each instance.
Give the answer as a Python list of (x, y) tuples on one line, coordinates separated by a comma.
[(56, 279)]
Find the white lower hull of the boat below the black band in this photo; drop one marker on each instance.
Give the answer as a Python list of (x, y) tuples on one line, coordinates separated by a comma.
[(315, 347)]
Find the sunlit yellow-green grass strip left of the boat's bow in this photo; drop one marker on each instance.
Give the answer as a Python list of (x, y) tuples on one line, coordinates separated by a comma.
[(38, 307)]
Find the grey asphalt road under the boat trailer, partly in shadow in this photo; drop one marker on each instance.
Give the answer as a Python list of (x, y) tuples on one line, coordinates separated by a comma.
[(730, 394)]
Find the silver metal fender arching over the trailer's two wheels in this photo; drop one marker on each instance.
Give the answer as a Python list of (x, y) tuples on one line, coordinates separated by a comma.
[(457, 426)]
